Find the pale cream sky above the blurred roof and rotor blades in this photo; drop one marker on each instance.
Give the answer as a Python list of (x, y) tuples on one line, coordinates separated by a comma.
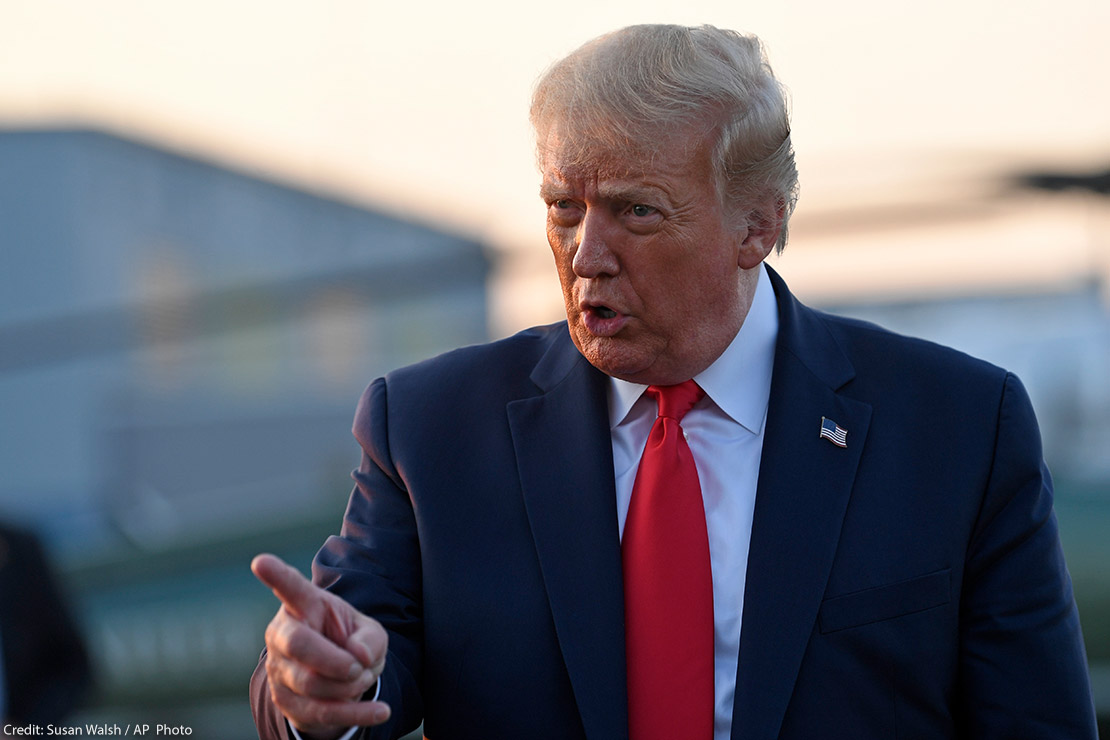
[(421, 108)]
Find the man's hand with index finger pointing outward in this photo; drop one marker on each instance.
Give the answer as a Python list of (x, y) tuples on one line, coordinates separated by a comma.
[(322, 655)]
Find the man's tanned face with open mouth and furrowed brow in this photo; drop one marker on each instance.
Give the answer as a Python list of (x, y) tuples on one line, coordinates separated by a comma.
[(655, 278)]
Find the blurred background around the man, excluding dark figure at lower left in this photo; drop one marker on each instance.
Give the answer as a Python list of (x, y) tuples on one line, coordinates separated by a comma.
[(220, 220)]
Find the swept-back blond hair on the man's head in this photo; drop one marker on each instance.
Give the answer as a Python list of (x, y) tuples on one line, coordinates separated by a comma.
[(622, 90)]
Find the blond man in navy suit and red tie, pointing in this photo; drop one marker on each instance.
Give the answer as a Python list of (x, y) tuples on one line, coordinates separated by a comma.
[(876, 555)]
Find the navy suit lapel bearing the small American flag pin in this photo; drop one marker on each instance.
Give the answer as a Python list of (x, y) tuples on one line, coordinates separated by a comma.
[(803, 493)]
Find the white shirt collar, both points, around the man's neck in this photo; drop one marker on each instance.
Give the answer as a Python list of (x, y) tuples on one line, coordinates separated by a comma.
[(739, 382)]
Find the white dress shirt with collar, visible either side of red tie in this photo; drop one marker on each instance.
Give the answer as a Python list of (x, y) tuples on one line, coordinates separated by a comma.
[(725, 432)]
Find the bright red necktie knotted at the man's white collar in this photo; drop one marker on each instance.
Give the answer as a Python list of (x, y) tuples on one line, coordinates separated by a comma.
[(669, 584)]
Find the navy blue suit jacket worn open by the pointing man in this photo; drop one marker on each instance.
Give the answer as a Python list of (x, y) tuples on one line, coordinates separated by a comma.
[(911, 585)]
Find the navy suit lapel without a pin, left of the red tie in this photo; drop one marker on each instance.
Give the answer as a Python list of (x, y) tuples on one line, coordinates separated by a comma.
[(566, 463)]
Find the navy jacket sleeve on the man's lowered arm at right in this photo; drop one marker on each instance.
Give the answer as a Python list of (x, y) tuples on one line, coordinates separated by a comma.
[(1023, 665)]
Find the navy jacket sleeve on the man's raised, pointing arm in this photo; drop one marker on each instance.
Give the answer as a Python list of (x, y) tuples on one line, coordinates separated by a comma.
[(374, 564)]
